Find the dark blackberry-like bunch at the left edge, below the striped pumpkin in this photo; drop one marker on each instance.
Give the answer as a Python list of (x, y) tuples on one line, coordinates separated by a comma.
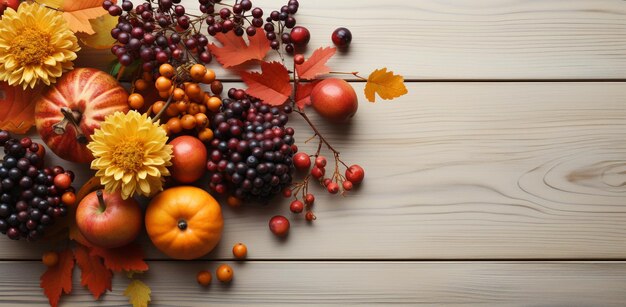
[(29, 199)]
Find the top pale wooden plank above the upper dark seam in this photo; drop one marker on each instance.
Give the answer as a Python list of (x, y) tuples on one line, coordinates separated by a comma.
[(463, 39)]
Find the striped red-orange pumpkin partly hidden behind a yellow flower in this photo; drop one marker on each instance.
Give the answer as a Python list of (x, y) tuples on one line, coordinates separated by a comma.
[(67, 114)]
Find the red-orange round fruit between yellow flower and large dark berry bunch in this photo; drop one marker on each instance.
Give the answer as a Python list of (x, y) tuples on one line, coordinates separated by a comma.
[(189, 158)]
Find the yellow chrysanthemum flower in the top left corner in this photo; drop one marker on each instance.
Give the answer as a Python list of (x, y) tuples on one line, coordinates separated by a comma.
[(36, 44)]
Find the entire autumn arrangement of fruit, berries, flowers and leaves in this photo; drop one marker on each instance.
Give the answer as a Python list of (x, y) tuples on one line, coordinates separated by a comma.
[(172, 137)]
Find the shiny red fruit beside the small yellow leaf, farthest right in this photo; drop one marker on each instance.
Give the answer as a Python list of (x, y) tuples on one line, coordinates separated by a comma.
[(334, 99)]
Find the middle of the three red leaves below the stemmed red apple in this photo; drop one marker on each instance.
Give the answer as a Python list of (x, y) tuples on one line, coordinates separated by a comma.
[(93, 274)]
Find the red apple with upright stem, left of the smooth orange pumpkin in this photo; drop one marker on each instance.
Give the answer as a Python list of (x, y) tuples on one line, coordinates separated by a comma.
[(108, 221)]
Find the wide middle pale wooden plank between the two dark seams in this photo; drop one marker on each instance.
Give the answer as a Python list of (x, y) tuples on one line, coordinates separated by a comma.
[(459, 171)]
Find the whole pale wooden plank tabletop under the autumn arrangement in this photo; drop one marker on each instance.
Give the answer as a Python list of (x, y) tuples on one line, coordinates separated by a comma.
[(500, 179)]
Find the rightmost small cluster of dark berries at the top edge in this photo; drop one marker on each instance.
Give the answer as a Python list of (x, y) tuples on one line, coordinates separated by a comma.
[(277, 23)]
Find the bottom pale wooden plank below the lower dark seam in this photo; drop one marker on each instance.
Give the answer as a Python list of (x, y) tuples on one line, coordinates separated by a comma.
[(348, 283)]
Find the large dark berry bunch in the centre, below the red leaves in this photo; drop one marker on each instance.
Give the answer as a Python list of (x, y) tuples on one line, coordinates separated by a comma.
[(251, 155)]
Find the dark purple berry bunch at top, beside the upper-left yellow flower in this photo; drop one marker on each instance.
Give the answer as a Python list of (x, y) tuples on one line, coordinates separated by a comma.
[(156, 32)]
